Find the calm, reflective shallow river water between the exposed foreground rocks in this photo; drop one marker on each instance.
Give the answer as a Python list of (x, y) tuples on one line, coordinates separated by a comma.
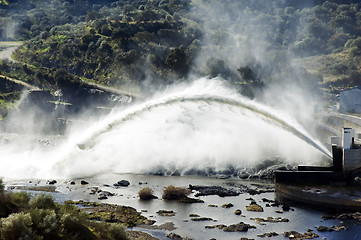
[(300, 218)]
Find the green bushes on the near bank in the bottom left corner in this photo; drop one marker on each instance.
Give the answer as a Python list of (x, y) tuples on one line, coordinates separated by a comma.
[(23, 217)]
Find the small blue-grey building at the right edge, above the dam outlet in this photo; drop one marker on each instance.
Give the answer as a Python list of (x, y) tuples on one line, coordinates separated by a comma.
[(350, 100)]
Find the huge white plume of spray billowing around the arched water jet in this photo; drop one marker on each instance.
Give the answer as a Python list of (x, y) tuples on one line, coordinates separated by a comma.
[(201, 126)]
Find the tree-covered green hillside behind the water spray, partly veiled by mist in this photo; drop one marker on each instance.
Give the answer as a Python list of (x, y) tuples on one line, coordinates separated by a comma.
[(143, 46)]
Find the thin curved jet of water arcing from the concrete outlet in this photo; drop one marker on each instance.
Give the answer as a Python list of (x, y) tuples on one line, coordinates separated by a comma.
[(209, 99)]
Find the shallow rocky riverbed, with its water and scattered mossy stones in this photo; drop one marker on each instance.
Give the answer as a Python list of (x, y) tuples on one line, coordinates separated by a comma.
[(231, 208)]
